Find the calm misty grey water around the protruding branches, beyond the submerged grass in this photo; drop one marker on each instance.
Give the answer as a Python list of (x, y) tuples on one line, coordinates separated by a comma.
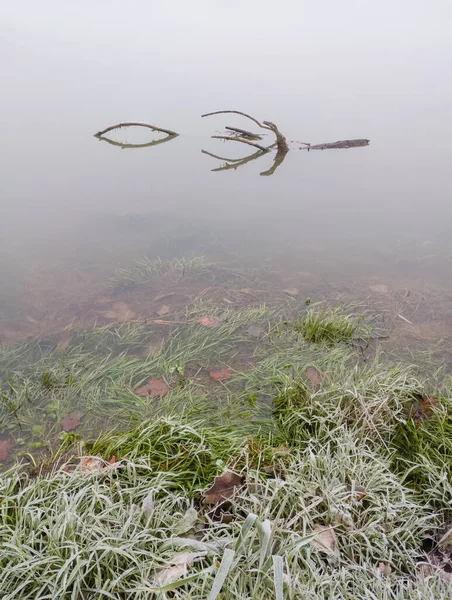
[(74, 208)]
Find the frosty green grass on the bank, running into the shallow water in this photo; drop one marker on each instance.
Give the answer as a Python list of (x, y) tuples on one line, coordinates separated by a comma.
[(304, 445)]
